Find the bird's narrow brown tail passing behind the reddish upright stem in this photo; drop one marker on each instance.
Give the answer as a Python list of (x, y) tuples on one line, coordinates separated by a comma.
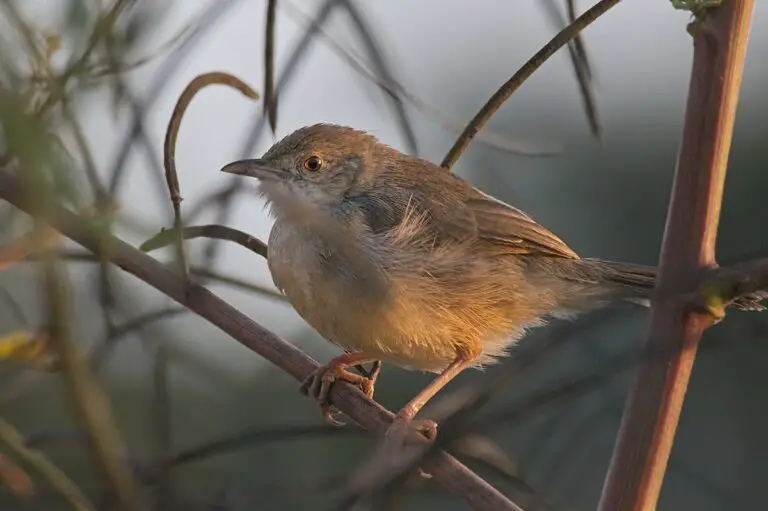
[(635, 283)]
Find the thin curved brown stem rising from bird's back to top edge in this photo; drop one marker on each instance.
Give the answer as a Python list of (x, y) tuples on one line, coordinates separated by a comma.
[(505, 91)]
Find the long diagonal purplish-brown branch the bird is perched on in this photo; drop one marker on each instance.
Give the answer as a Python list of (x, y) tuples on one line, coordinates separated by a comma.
[(446, 470)]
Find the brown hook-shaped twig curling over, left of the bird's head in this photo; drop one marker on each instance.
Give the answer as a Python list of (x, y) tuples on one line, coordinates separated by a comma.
[(172, 133)]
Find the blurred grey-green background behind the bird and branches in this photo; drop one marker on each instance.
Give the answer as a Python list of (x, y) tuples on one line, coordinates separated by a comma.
[(605, 200)]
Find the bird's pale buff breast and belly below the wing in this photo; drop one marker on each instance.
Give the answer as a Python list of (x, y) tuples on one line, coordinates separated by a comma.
[(396, 326)]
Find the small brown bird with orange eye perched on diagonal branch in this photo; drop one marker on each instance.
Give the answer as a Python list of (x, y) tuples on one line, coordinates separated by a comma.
[(396, 259)]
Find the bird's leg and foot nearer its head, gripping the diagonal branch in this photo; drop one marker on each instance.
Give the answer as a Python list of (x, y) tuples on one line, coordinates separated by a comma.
[(318, 384)]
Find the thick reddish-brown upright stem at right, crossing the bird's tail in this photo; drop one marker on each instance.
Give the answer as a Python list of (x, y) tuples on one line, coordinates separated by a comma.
[(653, 407)]
